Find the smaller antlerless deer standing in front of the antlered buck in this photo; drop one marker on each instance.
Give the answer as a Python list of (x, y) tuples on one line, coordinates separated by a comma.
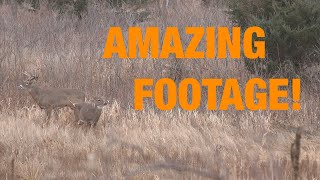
[(89, 112)]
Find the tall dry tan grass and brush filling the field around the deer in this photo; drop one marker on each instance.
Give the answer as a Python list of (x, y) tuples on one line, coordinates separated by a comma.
[(150, 144)]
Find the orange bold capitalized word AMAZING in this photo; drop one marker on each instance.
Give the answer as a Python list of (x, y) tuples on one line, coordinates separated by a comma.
[(171, 43)]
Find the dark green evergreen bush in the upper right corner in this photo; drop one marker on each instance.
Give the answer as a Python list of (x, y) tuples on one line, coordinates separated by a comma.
[(292, 30)]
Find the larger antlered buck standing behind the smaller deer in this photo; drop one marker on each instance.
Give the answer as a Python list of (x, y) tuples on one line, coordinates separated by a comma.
[(52, 98)]
